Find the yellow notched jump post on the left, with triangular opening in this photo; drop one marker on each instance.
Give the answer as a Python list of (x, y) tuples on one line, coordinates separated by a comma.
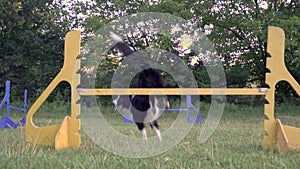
[(50, 135)]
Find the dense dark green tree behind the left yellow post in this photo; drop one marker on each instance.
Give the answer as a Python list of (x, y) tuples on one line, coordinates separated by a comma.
[(31, 43)]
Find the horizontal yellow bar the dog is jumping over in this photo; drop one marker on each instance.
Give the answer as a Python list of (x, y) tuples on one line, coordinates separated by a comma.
[(173, 91)]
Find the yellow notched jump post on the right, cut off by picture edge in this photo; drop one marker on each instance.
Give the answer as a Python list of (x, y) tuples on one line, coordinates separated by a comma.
[(278, 72)]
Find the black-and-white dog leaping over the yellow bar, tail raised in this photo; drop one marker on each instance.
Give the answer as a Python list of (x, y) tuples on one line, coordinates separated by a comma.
[(145, 109)]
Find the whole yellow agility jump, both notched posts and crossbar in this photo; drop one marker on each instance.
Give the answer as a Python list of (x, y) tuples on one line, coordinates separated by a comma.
[(281, 137)]
